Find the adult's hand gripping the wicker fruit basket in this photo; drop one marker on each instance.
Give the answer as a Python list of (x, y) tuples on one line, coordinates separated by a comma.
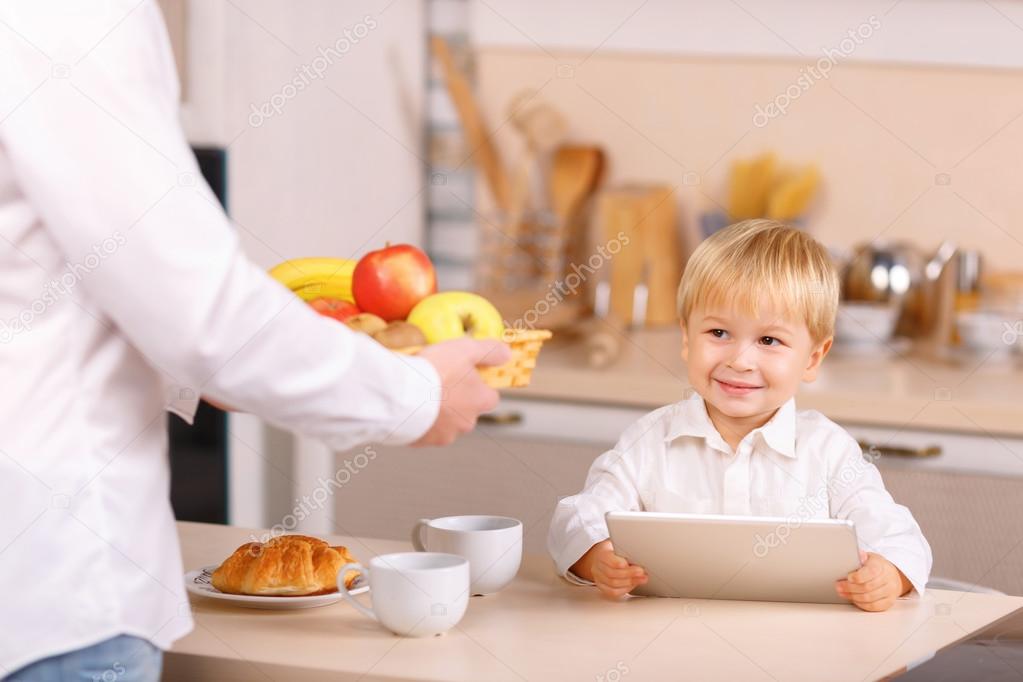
[(464, 395)]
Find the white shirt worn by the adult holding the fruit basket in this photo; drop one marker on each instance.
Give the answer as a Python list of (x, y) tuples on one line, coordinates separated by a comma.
[(124, 293)]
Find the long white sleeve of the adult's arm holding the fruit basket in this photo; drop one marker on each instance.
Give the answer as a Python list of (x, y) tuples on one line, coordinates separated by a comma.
[(98, 150)]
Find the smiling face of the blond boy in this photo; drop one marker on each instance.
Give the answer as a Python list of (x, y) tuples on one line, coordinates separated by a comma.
[(748, 368)]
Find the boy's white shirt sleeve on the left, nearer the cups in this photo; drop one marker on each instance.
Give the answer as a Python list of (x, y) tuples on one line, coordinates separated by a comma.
[(579, 524)]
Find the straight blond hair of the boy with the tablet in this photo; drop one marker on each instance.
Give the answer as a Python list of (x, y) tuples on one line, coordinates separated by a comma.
[(759, 262)]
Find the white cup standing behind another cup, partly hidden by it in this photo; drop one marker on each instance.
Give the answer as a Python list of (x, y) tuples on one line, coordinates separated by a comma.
[(493, 545)]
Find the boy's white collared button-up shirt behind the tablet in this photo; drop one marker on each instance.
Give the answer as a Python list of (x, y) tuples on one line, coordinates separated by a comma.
[(799, 466)]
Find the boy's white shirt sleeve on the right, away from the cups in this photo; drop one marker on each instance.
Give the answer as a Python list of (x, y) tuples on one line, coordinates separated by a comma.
[(858, 493)]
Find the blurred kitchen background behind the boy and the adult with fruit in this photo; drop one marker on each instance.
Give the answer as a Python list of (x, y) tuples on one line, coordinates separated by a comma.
[(564, 159)]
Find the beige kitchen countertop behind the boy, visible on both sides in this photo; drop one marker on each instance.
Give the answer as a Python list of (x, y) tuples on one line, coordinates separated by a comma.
[(970, 394)]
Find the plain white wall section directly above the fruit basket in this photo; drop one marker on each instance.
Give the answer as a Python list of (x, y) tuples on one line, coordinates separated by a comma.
[(337, 169)]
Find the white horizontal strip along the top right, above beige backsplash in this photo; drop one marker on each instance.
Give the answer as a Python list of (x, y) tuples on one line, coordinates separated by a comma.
[(946, 32)]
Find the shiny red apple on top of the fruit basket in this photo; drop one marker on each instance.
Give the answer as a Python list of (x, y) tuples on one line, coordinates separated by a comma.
[(390, 282)]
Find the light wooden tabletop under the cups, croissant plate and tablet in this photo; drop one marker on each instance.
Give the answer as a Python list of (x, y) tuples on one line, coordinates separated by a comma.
[(541, 628)]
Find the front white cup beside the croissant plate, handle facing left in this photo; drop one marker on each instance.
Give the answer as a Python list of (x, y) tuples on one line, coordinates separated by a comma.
[(415, 595)]
